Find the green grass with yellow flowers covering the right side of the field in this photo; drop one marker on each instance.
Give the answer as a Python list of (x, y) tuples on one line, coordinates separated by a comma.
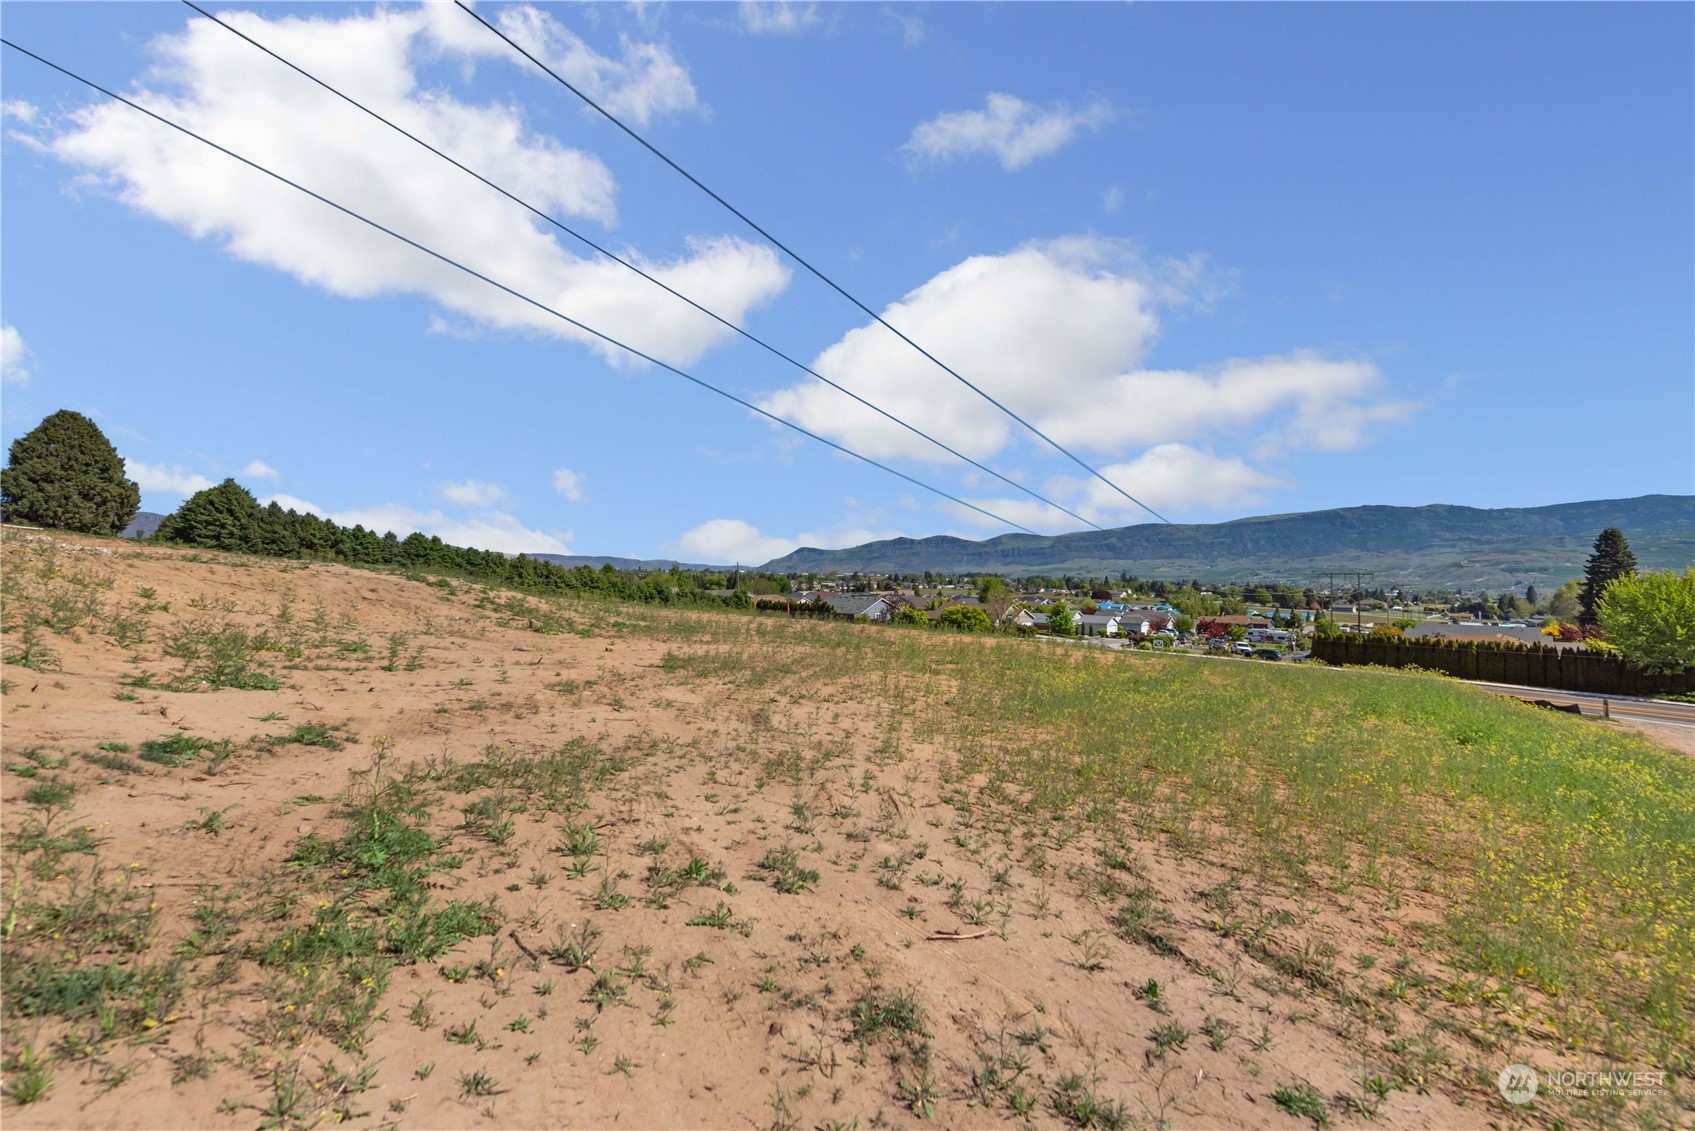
[(1562, 852)]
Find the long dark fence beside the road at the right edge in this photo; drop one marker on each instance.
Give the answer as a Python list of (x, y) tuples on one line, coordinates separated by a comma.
[(1526, 666)]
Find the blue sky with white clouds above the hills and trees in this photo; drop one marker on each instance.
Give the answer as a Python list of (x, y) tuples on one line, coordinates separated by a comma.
[(1245, 260)]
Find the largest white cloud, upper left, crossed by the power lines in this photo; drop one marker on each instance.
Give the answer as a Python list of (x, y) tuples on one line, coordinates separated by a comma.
[(225, 89)]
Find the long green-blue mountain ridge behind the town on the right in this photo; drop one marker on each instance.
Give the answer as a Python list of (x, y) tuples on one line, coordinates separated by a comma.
[(1435, 545)]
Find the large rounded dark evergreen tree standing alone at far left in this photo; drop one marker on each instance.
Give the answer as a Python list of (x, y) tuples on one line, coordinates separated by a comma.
[(67, 476)]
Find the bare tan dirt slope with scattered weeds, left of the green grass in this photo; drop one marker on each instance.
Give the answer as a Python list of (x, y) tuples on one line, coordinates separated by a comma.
[(655, 898)]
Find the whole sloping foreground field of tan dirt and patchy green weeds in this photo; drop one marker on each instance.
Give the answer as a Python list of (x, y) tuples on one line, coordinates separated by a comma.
[(984, 806)]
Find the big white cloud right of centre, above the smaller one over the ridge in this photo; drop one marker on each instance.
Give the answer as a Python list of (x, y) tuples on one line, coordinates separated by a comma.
[(1060, 333)]
